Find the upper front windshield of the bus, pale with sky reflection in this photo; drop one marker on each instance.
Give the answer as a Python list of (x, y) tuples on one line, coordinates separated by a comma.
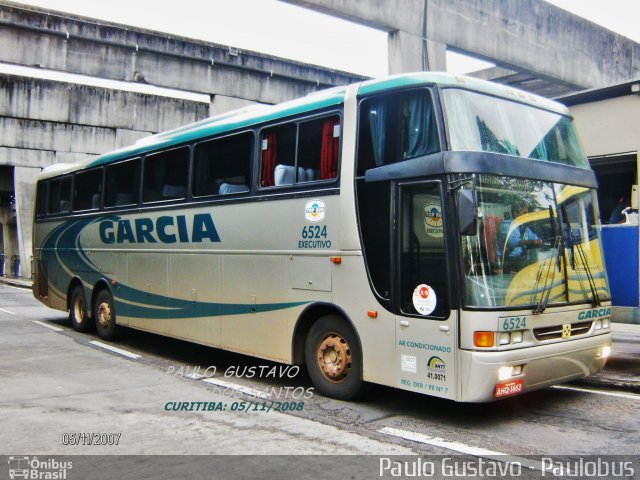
[(482, 123)]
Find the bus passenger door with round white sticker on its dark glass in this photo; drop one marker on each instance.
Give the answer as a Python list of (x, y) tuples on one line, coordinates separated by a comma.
[(426, 326)]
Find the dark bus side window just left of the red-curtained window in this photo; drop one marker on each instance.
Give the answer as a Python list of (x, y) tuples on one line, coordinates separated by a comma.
[(223, 165)]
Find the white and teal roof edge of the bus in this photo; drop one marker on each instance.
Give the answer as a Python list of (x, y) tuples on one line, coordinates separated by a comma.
[(249, 117)]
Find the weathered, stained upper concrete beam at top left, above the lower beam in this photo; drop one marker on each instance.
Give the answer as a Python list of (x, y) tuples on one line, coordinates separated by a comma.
[(80, 45)]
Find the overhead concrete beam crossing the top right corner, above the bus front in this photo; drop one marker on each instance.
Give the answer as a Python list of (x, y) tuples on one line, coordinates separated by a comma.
[(525, 35)]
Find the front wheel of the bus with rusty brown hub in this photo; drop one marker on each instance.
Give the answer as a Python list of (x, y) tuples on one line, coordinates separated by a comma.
[(334, 358)]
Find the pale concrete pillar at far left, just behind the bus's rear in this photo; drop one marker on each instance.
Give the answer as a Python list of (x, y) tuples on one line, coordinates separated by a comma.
[(25, 188)]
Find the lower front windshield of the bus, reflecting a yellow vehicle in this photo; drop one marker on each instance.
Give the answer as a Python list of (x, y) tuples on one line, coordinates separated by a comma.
[(536, 243)]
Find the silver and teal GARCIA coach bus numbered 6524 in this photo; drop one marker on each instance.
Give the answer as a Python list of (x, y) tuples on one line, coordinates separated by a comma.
[(358, 231)]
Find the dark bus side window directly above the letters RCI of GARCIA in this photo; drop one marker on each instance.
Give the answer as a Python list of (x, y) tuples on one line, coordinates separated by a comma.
[(165, 175)]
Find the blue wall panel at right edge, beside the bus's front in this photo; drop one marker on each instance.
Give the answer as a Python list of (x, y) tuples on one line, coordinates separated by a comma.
[(620, 245)]
